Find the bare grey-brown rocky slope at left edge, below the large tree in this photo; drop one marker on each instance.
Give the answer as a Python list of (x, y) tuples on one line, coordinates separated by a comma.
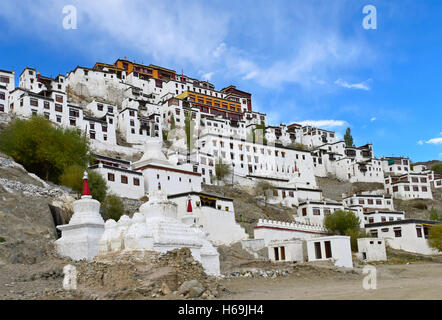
[(27, 227)]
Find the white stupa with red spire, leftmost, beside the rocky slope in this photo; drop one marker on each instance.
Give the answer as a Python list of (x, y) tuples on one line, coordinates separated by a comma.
[(79, 239)]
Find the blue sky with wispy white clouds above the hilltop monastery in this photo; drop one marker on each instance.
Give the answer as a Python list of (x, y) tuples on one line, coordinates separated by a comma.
[(303, 61)]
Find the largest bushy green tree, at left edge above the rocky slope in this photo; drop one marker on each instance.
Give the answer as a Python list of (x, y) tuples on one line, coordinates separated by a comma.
[(44, 149)]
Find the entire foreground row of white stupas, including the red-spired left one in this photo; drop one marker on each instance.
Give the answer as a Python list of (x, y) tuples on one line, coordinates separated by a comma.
[(154, 228)]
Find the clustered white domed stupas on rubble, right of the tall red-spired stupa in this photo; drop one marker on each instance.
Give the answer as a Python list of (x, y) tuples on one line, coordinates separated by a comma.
[(156, 227)]
